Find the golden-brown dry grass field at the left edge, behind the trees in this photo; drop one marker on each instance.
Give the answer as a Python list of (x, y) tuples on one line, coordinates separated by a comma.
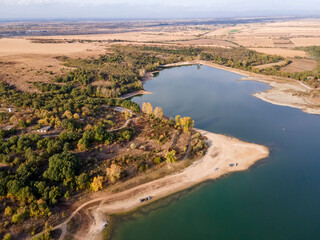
[(22, 61)]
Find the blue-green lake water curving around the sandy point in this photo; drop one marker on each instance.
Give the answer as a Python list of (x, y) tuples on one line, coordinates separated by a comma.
[(279, 198)]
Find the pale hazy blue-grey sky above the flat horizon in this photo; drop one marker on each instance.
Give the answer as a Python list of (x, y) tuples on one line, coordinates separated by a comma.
[(154, 9)]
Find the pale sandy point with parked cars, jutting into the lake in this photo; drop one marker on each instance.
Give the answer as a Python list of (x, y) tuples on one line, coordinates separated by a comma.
[(223, 151)]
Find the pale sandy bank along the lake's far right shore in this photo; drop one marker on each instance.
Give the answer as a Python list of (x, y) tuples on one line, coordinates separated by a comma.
[(283, 92)]
